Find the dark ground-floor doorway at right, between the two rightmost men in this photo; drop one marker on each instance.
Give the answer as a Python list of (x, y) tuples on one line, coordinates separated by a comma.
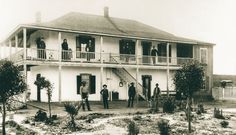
[(147, 86)]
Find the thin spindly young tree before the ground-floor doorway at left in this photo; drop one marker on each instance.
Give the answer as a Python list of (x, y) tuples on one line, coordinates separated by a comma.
[(42, 83)]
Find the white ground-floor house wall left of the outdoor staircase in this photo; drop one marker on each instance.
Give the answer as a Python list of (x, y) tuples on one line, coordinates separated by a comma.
[(69, 84)]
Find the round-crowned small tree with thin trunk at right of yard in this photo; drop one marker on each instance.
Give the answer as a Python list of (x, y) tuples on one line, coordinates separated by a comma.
[(188, 80)]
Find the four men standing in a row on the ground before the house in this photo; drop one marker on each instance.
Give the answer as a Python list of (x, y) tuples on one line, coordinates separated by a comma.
[(105, 95)]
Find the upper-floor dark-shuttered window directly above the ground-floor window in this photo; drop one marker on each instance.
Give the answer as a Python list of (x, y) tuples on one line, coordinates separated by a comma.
[(82, 45)]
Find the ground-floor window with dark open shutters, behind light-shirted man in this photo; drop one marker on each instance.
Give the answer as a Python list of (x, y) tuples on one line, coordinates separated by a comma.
[(90, 81)]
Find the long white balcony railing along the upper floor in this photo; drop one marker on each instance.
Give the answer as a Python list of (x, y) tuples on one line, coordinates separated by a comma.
[(94, 57)]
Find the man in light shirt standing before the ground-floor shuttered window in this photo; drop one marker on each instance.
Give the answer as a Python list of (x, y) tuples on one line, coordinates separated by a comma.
[(84, 96)]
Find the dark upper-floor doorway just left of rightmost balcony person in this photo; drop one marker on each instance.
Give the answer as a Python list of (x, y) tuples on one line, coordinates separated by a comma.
[(146, 52)]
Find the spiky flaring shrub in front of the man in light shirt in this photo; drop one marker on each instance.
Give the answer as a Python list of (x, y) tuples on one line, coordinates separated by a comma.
[(72, 110)]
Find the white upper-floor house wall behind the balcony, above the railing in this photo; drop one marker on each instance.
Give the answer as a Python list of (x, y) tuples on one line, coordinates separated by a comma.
[(110, 44)]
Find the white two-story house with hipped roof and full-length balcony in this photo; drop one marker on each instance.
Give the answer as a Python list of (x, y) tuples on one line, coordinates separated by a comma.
[(102, 50)]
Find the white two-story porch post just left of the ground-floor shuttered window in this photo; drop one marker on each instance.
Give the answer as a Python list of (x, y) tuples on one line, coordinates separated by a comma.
[(59, 67)]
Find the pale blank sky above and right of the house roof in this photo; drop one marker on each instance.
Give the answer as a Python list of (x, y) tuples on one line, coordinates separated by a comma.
[(211, 21)]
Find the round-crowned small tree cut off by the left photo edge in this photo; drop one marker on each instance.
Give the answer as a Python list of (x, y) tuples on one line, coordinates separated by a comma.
[(11, 83)]
